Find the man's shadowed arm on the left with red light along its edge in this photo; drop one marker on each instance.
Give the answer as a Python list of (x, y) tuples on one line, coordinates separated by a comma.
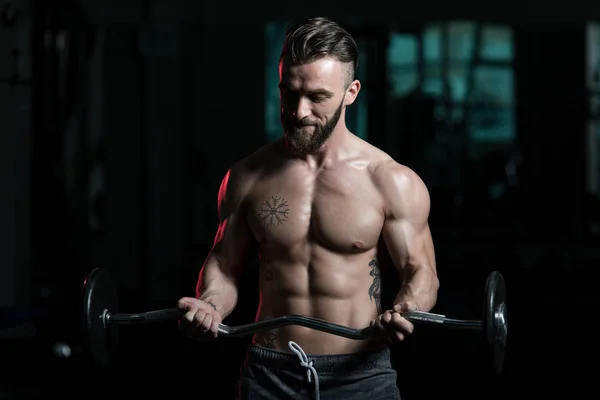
[(218, 279)]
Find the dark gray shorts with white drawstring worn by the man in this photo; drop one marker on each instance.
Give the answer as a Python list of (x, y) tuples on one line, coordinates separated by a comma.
[(274, 375)]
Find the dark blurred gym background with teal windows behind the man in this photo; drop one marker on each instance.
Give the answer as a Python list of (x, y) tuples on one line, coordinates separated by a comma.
[(116, 132)]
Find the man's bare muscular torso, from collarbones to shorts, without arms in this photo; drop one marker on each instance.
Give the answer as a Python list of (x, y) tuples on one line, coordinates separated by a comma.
[(317, 233)]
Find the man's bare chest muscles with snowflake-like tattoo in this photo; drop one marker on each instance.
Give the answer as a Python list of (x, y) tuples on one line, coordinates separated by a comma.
[(341, 211)]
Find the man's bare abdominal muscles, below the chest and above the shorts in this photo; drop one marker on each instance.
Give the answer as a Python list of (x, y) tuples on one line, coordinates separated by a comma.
[(334, 288)]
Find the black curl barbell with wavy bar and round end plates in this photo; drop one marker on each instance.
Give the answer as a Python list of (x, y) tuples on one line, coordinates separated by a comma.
[(102, 320)]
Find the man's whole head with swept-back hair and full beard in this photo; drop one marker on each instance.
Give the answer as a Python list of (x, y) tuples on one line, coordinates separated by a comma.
[(316, 73)]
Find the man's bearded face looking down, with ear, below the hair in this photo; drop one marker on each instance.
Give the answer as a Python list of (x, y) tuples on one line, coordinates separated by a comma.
[(313, 100)]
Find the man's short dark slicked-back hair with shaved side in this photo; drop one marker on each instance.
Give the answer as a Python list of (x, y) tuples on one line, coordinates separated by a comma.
[(316, 38)]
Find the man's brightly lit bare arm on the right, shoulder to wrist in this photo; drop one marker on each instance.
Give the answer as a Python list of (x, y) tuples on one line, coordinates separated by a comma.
[(407, 237)]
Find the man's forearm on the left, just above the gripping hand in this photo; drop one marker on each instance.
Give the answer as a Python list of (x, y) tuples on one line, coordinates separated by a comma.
[(217, 287)]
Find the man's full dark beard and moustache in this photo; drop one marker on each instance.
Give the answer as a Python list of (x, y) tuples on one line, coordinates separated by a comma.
[(300, 141)]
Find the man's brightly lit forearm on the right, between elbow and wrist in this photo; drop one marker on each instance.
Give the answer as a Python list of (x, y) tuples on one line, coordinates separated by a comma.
[(420, 285)]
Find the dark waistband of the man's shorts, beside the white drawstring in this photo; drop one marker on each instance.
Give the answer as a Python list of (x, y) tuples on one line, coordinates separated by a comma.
[(334, 363)]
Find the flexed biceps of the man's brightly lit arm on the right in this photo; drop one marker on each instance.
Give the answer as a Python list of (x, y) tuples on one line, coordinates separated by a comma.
[(409, 245)]
